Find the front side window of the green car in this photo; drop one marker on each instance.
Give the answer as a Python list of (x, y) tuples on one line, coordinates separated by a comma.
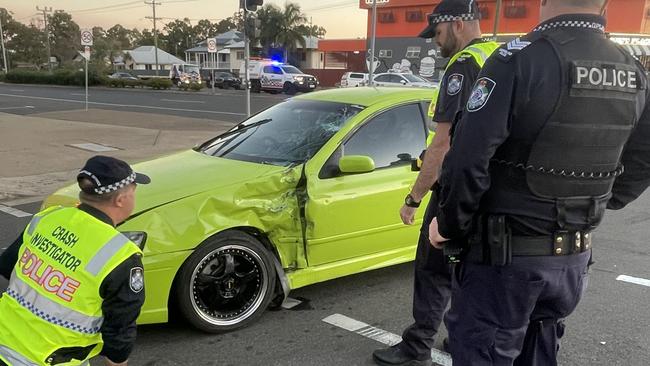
[(390, 138)]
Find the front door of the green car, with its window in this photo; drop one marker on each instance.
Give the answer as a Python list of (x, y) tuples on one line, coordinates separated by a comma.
[(356, 215)]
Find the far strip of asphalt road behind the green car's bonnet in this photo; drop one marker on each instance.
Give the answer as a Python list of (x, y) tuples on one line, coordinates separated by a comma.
[(225, 105)]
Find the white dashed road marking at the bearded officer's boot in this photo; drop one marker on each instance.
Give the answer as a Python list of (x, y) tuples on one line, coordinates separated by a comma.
[(380, 335)]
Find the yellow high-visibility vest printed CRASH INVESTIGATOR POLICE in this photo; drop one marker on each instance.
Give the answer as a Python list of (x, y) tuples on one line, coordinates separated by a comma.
[(53, 299)]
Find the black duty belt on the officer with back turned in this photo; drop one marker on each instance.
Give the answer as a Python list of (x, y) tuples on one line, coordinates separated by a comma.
[(561, 243)]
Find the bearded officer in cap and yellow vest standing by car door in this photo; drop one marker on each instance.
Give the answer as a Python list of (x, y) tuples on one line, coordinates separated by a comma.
[(455, 26)]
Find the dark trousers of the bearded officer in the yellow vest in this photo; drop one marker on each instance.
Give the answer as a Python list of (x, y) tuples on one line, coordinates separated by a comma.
[(431, 291)]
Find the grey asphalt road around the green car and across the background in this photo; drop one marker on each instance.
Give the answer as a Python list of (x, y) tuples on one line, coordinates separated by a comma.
[(610, 327)]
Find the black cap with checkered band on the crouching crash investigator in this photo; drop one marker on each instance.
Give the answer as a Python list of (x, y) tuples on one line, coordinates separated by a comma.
[(109, 174)]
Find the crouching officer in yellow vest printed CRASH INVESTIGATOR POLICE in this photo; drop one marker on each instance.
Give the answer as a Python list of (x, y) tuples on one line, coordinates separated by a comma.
[(76, 283)]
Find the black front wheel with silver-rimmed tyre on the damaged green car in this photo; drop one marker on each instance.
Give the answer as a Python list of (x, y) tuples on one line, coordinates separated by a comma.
[(227, 283)]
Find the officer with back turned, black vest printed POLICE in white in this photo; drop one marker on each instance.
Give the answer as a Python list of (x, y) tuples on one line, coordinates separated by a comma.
[(553, 134)]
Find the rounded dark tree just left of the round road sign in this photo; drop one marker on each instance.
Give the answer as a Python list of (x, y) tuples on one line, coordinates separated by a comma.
[(64, 36)]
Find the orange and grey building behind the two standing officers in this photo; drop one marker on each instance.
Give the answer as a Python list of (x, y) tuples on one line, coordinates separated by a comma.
[(400, 21)]
